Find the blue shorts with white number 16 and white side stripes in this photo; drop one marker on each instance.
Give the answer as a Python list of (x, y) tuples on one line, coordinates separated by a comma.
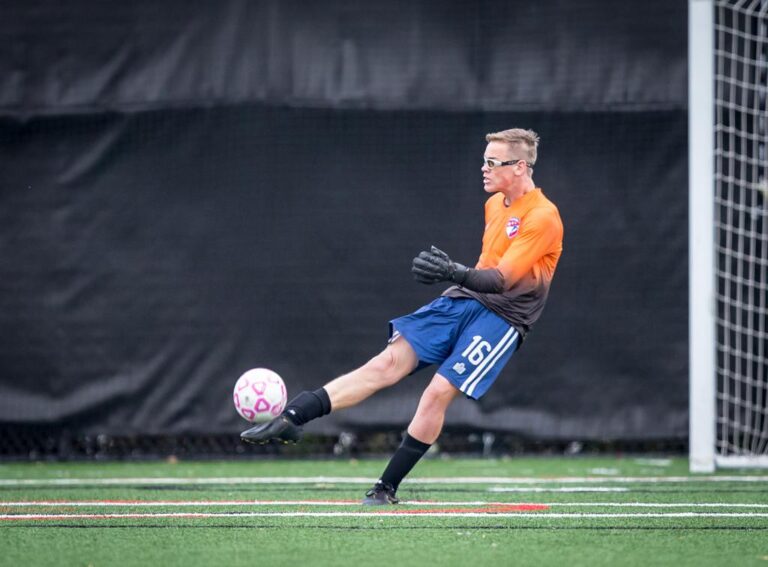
[(469, 342)]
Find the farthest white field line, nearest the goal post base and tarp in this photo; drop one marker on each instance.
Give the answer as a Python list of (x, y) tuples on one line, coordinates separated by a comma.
[(143, 481)]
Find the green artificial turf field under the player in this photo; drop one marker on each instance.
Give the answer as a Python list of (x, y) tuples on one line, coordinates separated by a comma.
[(537, 537)]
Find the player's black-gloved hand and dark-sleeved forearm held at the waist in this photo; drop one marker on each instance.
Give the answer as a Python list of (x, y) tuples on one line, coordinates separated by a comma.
[(435, 266)]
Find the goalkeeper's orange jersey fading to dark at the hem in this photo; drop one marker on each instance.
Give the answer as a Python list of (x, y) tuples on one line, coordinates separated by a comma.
[(524, 242)]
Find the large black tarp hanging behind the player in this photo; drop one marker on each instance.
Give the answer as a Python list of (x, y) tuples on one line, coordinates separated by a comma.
[(188, 190)]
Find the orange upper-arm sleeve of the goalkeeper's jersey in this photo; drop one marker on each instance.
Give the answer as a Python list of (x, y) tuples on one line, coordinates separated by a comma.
[(540, 231)]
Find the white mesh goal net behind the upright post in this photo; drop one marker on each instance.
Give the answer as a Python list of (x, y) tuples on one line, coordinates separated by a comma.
[(741, 231)]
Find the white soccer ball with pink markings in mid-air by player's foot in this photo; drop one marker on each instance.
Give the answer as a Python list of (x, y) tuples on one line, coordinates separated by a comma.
[(260, 395)]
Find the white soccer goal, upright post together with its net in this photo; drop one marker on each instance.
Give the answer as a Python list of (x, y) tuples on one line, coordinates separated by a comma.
[(728, 233)]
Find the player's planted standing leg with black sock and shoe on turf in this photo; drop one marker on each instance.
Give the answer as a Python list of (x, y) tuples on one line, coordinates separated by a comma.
[(424, 430)]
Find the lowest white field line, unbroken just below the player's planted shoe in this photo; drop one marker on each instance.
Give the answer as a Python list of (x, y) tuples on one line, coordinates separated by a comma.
[(519, 515)]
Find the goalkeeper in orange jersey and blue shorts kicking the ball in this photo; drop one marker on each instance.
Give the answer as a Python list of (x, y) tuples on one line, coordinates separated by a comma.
[(471, 330)]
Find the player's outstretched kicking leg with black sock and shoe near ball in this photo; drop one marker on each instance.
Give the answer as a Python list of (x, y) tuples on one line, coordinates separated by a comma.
[(383, 370)]
